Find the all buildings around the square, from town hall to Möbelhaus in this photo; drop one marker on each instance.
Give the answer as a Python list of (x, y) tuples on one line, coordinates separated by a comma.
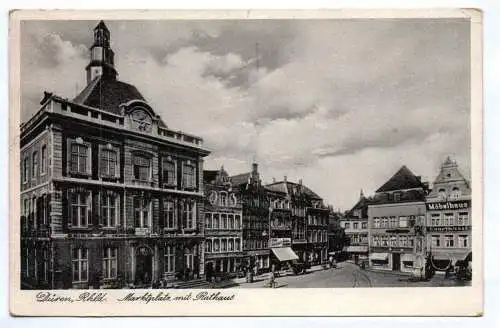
[(113, 198)]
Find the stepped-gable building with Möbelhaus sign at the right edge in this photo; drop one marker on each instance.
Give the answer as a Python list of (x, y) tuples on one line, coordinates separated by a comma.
[(449, 223)]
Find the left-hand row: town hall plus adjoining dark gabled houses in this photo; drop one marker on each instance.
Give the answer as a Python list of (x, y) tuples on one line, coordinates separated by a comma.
[(110, 195)]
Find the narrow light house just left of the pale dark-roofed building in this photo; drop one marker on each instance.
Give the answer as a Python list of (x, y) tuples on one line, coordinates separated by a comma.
[(355, 224)]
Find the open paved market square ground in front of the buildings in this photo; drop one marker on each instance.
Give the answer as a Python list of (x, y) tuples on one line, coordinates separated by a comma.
[(348, 275)]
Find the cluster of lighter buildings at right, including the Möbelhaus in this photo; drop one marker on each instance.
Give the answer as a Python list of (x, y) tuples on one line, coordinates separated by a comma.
[(406, 224)]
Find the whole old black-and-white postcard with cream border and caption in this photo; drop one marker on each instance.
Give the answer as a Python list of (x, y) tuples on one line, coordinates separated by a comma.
[(250, 163)]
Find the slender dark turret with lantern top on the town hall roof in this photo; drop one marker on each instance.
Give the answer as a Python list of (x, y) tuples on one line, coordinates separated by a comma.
[(101, 55)]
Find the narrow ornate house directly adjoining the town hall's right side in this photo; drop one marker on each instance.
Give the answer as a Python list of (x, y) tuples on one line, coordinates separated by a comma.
[(223, 225)]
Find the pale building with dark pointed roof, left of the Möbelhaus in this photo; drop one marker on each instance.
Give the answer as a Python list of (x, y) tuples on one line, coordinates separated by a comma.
[(398, 207)]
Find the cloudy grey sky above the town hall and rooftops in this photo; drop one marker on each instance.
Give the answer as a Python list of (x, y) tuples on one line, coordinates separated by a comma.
[(341, 104)]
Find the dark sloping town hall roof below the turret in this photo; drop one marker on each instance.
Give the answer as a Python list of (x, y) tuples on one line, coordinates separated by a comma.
[(107, 94)]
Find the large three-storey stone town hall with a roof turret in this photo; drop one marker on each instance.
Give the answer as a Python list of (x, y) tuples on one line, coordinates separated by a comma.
[(110, 195)]
